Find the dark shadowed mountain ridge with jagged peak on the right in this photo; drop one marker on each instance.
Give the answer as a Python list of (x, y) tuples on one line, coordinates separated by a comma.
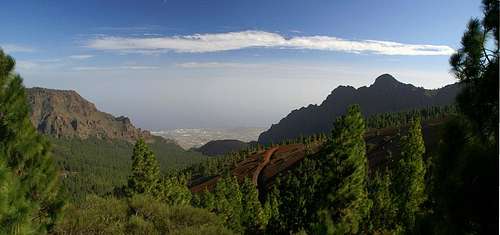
[(386, 94)]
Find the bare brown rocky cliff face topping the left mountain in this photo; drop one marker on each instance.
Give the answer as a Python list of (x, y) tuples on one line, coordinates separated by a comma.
[(64, 113)]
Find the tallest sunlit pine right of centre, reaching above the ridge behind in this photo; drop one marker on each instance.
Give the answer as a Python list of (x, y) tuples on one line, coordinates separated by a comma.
[(346, 201)]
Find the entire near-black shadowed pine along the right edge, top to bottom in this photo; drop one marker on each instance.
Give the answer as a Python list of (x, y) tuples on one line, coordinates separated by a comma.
[(465, 171)]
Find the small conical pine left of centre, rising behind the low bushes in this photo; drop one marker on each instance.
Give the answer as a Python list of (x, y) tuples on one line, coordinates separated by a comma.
[(145, 176)]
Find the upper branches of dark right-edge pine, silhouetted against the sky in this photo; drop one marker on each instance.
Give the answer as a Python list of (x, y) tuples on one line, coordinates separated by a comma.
[(475, 64)]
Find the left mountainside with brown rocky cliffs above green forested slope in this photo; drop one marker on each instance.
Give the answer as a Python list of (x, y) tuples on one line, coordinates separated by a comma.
[(92, 148)]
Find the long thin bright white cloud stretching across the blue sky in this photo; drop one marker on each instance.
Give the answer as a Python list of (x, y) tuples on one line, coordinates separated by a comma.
[(200, 43)]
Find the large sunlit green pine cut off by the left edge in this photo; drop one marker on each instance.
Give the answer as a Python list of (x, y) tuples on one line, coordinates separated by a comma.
[(25, 162)]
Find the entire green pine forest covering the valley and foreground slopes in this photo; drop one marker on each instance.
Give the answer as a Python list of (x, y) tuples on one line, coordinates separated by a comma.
[(93, 186)]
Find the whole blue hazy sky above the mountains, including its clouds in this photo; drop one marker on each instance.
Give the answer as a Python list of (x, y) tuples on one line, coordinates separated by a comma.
[(223, 63)]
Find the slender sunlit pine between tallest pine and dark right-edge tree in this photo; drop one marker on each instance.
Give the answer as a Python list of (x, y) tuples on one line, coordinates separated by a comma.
[(409, 180)]
